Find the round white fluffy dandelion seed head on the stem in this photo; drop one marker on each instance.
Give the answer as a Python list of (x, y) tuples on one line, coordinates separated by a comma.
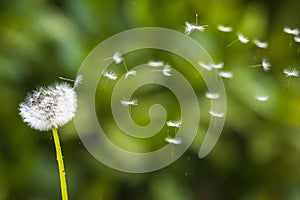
[(49, 107)]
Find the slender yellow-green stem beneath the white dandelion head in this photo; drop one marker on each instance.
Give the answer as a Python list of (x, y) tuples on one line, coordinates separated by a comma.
[(62, 177)]
